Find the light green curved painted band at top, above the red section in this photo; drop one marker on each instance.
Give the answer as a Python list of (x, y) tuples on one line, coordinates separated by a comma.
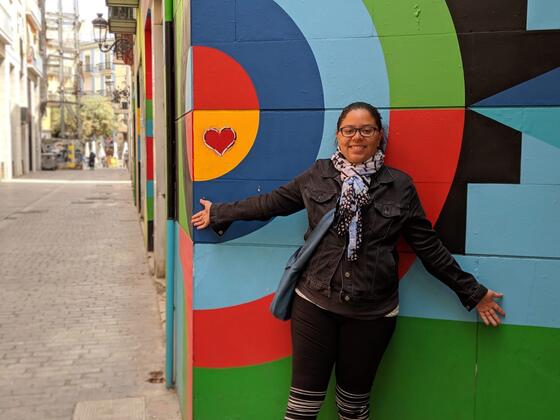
[(421, 52)]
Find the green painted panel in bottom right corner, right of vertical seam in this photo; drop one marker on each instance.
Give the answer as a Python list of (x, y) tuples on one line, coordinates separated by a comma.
[(518, 373)]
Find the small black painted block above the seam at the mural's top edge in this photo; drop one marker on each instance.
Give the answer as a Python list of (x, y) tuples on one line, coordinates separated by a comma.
[(488, 15)]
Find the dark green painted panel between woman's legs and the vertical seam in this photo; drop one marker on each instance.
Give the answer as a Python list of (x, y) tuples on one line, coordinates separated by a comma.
[(427, 372)]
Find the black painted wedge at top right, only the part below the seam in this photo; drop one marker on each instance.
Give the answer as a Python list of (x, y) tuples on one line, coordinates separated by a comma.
[(494, 62)]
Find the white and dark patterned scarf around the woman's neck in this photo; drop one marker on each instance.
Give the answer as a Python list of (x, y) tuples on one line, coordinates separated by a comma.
[(355, 184)]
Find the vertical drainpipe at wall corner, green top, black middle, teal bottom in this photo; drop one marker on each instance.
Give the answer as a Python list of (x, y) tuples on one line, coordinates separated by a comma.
[(171, 194)]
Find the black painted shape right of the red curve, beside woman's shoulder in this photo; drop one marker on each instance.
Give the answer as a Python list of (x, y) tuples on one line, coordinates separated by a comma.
[(490, 153)]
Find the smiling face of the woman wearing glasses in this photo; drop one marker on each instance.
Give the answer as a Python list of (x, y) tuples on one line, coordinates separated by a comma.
[(359, 148)]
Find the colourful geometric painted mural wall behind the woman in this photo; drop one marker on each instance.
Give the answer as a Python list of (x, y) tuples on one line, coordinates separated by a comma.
[(470, 97)]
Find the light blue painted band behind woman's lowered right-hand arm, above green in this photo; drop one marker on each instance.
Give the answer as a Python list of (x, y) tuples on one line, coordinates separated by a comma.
[(530, 287)]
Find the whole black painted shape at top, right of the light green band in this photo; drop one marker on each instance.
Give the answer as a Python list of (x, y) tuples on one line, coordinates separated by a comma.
[(497, 51)]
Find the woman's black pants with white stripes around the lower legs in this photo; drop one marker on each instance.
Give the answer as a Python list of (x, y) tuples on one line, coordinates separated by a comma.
[(321, 340)]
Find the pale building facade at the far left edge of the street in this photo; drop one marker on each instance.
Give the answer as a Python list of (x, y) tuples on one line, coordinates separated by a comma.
[(21, 73)]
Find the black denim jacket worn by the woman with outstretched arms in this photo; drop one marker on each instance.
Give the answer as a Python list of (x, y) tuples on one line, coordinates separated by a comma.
[(394, 209)]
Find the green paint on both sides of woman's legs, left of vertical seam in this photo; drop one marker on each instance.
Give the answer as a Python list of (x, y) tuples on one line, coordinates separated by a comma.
[(427, 373)]
